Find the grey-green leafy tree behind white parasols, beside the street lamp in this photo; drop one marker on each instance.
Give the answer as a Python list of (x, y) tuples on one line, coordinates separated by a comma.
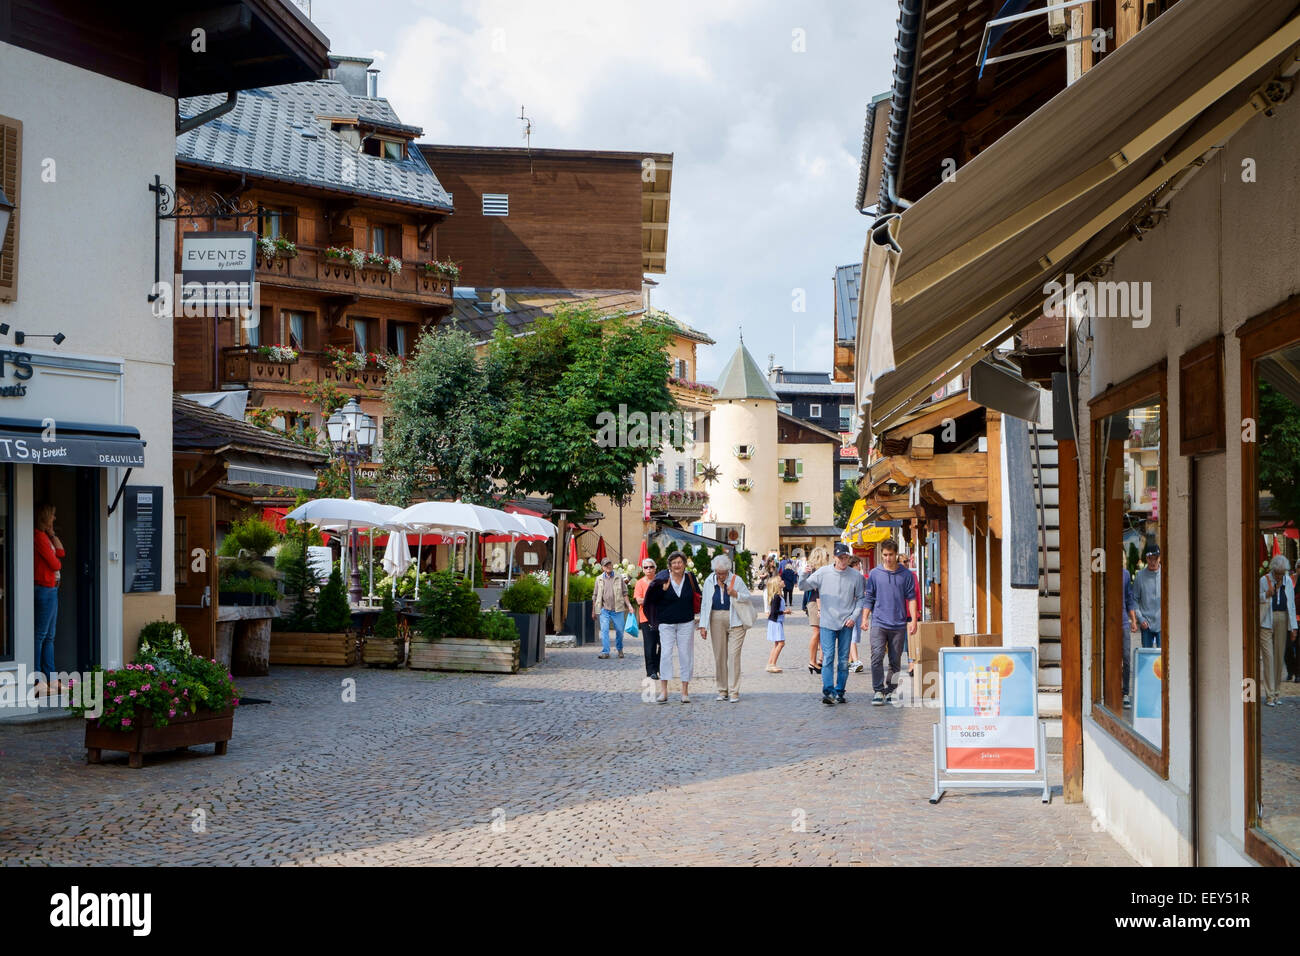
[(440, 414)]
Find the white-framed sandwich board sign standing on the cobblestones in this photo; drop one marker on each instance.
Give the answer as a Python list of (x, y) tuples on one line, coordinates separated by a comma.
[(989, 721)]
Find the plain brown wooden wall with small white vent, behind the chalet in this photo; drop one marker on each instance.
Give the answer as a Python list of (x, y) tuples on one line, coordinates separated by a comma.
[(575, 218)]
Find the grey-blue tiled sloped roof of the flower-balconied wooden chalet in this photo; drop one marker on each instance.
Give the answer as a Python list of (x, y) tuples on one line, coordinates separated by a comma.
[(276, 133)]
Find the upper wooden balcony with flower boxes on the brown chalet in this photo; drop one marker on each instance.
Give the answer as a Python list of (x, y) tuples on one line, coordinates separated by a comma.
[(313, 271)]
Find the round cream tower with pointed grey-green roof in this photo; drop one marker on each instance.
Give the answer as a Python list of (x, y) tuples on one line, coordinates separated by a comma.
[(743, 448)]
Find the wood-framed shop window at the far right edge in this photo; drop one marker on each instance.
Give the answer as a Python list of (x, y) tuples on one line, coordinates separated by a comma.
[(1272, 475)]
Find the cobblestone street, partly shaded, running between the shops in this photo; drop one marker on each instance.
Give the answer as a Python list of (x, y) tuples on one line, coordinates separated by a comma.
[(562, 764)]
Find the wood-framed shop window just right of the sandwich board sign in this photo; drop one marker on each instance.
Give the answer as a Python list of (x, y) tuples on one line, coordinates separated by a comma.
[(1130, 607)]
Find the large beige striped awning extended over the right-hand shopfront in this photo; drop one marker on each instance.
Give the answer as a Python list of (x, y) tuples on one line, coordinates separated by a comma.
[(1058, 193)]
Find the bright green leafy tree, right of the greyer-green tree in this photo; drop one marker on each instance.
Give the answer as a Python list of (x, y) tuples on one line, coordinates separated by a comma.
[(558, 390)]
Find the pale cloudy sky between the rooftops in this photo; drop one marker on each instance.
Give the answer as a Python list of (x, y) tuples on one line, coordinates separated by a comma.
[(766, 137)]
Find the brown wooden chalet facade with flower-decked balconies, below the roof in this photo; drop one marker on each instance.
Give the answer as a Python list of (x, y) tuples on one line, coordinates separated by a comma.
[(333, 304)]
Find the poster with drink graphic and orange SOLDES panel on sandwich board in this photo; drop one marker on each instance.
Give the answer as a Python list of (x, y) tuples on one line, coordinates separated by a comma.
[(990, 710)]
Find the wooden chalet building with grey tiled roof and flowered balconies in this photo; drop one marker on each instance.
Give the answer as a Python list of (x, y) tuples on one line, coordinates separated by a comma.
[(323, 168)]
